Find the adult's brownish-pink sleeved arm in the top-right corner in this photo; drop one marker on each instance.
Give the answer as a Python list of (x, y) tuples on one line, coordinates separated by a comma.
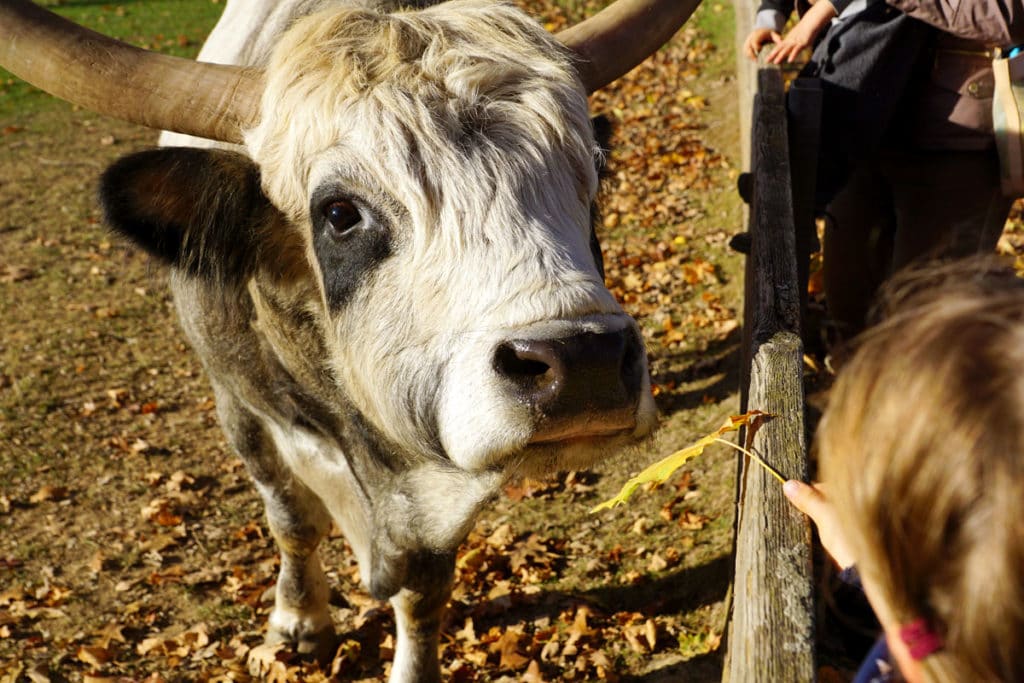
[(997, 23)]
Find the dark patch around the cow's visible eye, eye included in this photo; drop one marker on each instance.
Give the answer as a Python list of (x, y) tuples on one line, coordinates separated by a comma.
[(350, 239)]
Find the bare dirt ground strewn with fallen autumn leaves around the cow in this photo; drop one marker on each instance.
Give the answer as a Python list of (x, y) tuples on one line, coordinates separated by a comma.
[(133, 546)]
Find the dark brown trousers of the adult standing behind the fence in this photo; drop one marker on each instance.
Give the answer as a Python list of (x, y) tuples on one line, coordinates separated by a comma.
[(905, 208)]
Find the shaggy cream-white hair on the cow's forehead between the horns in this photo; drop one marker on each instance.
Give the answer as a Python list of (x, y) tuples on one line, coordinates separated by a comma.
[(470, 99)]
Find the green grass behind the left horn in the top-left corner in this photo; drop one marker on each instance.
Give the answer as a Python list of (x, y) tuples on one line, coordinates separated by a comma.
[(173, 27)]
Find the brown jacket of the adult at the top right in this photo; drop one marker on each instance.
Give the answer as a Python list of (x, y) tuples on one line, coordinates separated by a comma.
[(954, 109)]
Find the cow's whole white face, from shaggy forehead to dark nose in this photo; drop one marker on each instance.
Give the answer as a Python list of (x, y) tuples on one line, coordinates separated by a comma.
[(445, 197)]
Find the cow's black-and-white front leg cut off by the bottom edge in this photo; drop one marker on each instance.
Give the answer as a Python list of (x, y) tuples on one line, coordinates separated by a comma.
[(418, 612)]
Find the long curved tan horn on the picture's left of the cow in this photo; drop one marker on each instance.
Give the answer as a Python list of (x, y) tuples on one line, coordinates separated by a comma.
[(111, 77)]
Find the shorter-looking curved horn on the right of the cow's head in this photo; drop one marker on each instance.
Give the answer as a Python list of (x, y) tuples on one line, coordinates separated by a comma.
[(622, 35)]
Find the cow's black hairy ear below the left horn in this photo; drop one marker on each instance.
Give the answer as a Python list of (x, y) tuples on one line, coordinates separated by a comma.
[(201, 211)]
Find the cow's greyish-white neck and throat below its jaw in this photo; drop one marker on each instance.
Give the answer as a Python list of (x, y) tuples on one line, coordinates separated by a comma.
[(397, 508)]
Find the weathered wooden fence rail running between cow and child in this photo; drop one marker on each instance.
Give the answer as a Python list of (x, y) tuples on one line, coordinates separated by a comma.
[(772, 636)]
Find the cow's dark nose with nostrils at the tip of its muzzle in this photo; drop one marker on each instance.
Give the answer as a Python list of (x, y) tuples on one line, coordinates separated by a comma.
[(584, 386)]
